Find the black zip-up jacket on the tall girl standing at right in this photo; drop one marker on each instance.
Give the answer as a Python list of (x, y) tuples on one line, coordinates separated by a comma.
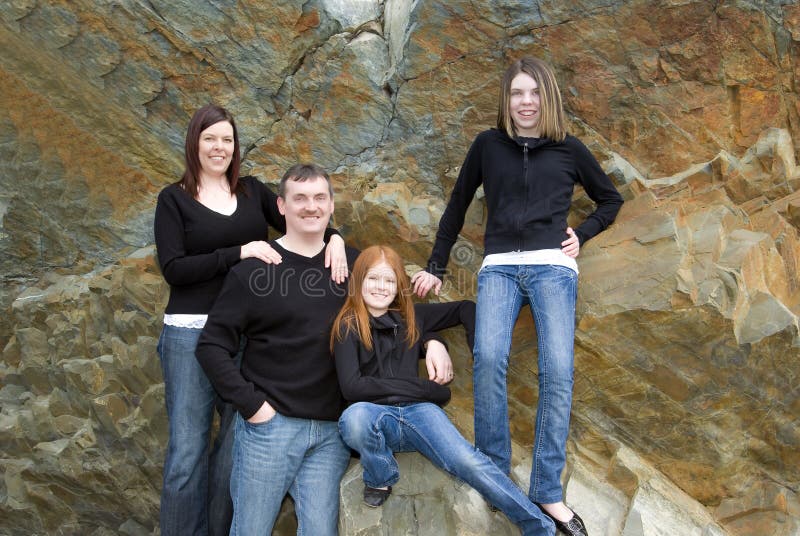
[(528, 184)]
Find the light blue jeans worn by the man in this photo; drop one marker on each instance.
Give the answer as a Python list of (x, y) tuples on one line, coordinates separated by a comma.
[(303, 457)]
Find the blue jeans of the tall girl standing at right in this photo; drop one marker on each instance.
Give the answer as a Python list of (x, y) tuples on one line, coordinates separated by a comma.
[(550, 291)]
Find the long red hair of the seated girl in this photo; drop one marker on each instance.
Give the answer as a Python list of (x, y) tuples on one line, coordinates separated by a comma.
[(354, 316)]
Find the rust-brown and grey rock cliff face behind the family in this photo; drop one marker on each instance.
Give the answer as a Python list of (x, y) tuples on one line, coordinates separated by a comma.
[(688, 341)]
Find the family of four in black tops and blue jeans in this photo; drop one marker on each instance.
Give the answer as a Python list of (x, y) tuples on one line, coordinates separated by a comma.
[(309, 350)]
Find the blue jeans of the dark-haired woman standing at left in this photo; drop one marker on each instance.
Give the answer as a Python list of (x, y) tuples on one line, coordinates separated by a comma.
[(195, 497)]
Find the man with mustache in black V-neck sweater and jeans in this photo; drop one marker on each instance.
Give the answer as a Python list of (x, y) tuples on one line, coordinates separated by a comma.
[(286, 392)]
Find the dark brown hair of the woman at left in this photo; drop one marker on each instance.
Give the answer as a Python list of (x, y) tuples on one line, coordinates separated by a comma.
[(202, 119)]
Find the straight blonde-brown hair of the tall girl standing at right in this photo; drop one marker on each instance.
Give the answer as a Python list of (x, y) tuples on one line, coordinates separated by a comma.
[(552, 123)]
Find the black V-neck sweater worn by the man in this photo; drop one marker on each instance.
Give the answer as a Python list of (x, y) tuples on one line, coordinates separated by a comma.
[(286, 312)]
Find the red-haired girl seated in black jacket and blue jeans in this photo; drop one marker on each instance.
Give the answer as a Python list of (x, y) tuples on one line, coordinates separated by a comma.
[(376, 345)]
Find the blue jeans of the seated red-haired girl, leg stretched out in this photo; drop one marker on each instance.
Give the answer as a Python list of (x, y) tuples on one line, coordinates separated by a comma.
[(377, 431)]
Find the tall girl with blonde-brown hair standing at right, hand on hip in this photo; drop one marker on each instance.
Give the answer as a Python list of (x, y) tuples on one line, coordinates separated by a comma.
[(528, 167)]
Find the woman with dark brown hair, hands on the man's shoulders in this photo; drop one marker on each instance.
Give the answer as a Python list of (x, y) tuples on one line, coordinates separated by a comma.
[(205, 224)]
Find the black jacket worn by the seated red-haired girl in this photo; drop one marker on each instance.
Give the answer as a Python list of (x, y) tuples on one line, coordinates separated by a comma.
[(388, 374)]
